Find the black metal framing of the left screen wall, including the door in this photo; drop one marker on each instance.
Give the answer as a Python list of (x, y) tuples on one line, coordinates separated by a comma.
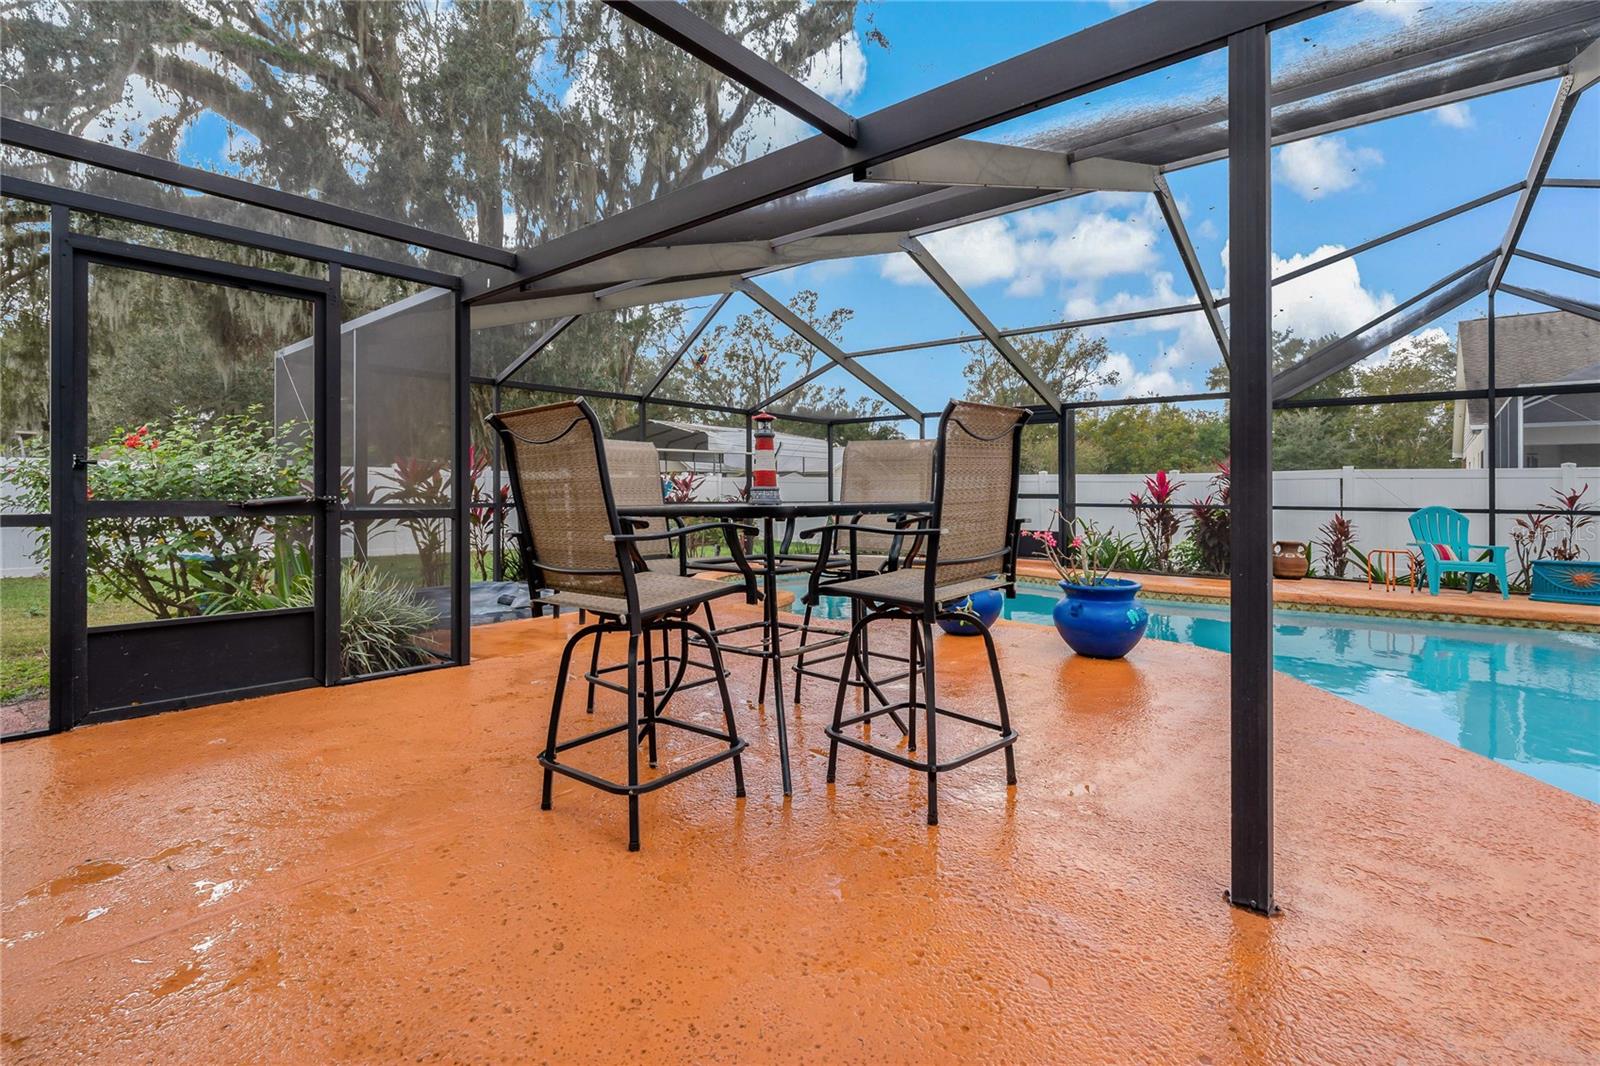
[(71, 511)]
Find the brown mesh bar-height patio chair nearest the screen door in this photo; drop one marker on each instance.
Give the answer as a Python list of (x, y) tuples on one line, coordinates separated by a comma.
[(578, 556)]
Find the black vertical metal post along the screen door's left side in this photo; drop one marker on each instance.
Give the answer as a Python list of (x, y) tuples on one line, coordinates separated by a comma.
[(68, 483)]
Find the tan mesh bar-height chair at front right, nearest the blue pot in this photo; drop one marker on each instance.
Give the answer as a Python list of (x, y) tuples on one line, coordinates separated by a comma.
[(969, 547)]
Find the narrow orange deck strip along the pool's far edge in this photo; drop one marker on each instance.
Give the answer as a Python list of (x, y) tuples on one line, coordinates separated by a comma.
[(1356, 598)]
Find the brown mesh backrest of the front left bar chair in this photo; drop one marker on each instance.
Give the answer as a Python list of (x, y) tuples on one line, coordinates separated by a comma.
[(558, 467)]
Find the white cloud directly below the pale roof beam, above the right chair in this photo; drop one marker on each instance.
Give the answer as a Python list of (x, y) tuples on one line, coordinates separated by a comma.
[(1063, 246)]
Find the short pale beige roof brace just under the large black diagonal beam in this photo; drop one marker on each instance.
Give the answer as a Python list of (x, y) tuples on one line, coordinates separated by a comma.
[(991, 166)]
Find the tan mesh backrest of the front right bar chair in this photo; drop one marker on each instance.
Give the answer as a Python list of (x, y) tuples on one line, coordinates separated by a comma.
[(975, 470)]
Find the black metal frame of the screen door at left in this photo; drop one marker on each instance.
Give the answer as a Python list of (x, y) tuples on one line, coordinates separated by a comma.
[(71, 510)]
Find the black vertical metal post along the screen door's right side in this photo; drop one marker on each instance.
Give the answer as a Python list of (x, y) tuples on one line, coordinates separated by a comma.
[(329, 431)]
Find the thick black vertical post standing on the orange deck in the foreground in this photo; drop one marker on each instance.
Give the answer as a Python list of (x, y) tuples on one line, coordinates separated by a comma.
[(1250, 438)]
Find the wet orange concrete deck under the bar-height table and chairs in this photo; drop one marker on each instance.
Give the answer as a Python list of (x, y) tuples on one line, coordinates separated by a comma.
[(364, 875)]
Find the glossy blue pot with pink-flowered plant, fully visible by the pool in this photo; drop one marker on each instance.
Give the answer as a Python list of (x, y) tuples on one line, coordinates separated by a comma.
[(1100, 615)]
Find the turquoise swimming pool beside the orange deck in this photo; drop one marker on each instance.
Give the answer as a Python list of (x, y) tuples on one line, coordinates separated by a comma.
[(1527, 699)]
